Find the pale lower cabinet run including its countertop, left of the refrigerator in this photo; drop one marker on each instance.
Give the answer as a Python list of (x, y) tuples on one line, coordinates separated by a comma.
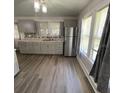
[(41, 46)]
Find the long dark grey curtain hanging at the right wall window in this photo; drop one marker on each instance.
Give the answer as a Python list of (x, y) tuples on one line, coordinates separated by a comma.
[(101, 68)]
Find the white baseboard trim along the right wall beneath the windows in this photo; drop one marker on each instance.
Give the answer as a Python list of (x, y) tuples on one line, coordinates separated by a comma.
[(90, 79)]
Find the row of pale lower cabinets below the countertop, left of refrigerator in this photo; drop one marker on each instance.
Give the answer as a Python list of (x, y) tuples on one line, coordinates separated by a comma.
[(47, 47)]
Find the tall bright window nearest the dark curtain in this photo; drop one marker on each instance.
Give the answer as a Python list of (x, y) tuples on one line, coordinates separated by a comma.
[(97, 32)]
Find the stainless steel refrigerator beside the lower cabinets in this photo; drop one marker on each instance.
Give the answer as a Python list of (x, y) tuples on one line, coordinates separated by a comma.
[(70, 45)]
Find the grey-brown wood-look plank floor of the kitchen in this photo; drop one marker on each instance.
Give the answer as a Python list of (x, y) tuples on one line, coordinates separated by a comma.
[(50, 74)]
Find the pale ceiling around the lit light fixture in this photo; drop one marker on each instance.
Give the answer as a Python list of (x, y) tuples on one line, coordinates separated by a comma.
[(56, 8)]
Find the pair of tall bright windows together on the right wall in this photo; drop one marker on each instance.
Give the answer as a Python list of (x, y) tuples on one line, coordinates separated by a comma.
[(90, 40)]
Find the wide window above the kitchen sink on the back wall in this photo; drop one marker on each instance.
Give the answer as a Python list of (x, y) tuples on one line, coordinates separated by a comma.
[(49, 29)]
